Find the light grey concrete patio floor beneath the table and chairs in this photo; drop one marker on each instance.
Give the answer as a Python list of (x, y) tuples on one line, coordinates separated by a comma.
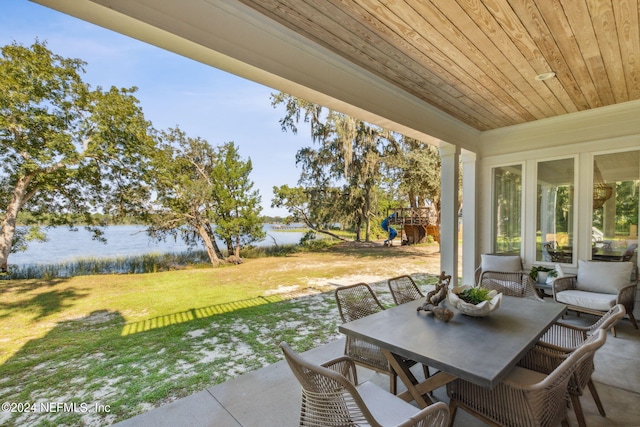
[(271, 396)]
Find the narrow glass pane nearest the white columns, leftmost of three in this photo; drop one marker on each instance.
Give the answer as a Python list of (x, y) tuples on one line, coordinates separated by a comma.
[(507, 209)]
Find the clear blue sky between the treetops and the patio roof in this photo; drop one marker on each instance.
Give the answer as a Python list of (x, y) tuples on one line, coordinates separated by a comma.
[(173, 90)]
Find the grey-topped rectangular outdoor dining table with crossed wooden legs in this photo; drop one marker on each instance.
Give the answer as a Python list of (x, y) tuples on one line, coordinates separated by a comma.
[(481, 350)]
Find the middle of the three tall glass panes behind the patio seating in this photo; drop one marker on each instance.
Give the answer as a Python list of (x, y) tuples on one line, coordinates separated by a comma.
[(555, 211)]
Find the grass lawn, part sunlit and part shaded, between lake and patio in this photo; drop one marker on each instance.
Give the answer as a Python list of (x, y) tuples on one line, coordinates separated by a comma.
[(128, 343)]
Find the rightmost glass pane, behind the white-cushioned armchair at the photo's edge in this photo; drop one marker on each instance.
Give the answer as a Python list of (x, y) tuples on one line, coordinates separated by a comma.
[(616, 182)]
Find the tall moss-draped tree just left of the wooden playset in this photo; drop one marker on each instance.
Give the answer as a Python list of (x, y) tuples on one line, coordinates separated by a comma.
[(349, 154)]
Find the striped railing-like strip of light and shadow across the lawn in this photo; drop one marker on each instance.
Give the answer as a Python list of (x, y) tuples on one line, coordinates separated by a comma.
[(195, 313)]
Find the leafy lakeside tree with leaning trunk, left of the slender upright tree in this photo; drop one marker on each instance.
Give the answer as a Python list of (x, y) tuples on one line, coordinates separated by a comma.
[(184, 188)]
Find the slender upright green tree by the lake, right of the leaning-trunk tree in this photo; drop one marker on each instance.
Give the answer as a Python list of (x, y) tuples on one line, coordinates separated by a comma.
[(236, 204)]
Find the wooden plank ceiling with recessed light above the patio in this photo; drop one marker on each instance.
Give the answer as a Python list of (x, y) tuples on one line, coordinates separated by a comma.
[(478, 59)]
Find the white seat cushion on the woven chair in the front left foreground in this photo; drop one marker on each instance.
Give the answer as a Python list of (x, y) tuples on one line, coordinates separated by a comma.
[(386, 408)]
